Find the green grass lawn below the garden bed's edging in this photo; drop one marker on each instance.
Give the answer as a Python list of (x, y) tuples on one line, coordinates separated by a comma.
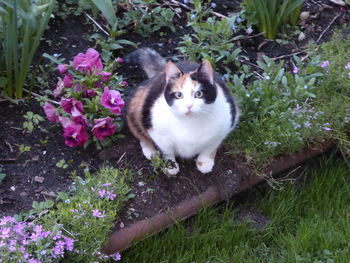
[(308, 224)]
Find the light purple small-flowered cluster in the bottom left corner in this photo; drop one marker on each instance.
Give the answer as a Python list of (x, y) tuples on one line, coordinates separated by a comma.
[(21, 242)]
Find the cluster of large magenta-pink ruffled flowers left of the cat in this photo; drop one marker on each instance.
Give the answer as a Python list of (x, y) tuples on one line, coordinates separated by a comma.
[(90, 103)]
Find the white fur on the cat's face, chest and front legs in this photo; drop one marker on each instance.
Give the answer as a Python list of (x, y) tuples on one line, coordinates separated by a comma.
[(200, 132)]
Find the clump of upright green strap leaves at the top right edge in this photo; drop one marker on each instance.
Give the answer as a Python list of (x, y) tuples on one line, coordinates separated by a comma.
[(270, 15)]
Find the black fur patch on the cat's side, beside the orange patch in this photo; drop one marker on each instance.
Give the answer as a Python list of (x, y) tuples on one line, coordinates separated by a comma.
[(157, 88)]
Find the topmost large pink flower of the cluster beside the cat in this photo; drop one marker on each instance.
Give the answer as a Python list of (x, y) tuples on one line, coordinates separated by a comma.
[(88, 62)]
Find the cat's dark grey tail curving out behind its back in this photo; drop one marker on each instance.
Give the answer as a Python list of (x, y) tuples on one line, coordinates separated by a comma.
[(149, 60)]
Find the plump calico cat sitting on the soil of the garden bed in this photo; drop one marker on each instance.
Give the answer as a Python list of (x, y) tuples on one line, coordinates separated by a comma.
[(183, 109)]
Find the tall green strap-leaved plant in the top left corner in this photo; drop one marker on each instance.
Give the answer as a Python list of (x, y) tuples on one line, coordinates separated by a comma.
[(22, 24)]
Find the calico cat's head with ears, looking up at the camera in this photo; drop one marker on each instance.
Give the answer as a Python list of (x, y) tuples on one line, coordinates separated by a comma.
[(190, 94)]
